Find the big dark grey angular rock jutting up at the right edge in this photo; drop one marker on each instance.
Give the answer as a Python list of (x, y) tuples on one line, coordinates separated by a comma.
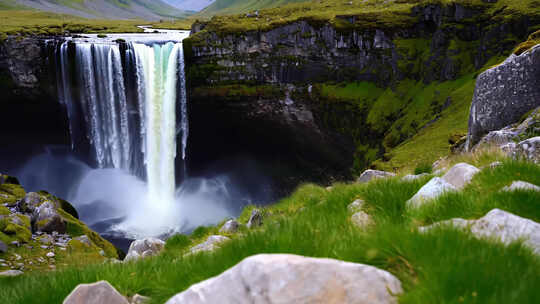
[(504, 94)]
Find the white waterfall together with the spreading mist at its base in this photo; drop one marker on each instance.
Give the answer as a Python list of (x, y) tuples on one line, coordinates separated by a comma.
[(127, 109)]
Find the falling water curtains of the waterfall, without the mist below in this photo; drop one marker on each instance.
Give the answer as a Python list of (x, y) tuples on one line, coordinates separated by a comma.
[(125, 95)]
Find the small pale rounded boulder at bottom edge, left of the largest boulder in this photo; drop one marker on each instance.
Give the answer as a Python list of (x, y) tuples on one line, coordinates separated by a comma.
[(97, 293)]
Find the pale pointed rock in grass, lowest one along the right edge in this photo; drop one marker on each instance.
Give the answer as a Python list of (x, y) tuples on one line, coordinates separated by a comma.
[(500, 225)]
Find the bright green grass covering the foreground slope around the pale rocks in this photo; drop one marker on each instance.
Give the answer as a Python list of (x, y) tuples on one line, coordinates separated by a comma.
[(443, 266)]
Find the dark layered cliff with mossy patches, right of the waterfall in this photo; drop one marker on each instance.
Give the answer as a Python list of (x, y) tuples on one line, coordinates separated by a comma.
[(441, 43)]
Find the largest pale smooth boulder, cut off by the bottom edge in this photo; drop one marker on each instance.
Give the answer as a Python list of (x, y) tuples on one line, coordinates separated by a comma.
[(284, 279)]
